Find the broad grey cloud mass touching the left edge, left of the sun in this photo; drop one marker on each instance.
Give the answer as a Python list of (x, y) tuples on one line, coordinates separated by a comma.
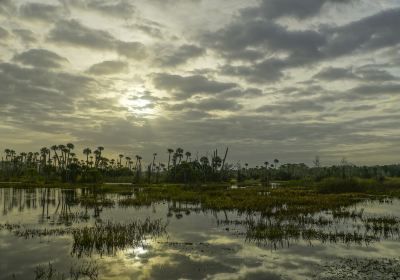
[(40, 92)]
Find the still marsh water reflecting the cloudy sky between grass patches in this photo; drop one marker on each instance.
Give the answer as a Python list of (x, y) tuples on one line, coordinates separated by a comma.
[(197, 244)]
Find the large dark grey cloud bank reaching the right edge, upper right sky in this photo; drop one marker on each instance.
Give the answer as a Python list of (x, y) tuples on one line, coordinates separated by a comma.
[(268, 48)]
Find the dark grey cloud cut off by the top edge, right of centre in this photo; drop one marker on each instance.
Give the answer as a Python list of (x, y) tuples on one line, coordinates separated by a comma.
[(292, 8)]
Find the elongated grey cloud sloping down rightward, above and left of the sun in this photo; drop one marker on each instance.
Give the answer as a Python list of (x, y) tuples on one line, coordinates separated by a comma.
[(73, 33)]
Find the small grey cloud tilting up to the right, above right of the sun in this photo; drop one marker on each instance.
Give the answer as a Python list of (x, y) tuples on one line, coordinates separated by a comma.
[(182, 55)]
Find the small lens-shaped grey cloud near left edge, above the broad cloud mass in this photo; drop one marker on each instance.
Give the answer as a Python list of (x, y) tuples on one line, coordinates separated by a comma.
[(40, 58)]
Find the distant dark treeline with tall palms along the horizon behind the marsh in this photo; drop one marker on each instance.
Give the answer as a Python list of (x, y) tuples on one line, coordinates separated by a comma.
[(60, 163)]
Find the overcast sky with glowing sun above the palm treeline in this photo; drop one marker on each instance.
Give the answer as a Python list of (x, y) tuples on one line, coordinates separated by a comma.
[(269, 79)]
